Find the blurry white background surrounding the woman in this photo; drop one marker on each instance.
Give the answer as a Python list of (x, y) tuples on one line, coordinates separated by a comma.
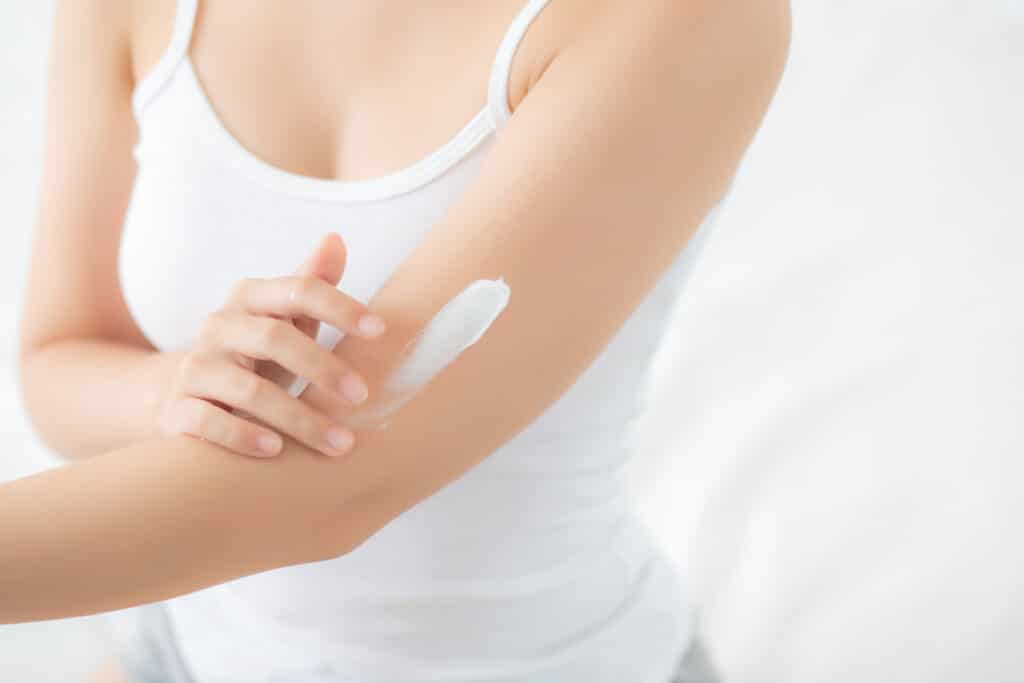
[(834, 451)]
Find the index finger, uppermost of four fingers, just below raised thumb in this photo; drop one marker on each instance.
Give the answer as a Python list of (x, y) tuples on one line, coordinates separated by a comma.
[(307, 296)]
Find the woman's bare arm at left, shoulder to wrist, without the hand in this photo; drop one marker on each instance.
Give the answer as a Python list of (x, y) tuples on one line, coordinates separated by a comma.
[(90, 378)]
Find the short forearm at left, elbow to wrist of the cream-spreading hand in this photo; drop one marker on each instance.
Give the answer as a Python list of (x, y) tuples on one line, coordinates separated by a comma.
[(89, 397)]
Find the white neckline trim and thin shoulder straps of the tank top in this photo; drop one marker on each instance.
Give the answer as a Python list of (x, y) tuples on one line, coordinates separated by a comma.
[(177, 61)]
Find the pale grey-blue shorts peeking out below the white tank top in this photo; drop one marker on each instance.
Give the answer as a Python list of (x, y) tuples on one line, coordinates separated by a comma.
[(151, 655)]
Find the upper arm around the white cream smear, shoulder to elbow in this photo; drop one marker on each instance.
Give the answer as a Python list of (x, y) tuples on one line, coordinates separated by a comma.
[(598, 184)]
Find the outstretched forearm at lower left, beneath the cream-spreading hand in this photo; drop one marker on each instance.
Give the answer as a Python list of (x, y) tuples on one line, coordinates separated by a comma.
[(150, 522)]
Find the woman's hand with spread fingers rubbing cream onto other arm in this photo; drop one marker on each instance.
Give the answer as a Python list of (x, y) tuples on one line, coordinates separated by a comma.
[(249, 353)]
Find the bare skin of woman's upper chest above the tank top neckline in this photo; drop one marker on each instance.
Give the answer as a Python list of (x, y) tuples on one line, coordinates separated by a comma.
[(329, 91)]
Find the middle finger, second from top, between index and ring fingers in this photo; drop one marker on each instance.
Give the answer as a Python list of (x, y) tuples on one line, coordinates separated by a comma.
[(279, 341)]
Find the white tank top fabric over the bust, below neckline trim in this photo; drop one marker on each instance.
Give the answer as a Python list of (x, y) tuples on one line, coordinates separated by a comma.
[(195, 228)]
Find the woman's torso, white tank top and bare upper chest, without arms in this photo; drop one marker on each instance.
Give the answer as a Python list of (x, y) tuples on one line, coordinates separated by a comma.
[(530, 568)]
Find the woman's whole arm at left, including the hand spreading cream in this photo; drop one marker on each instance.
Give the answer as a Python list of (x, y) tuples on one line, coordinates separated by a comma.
[(91, 380)]
